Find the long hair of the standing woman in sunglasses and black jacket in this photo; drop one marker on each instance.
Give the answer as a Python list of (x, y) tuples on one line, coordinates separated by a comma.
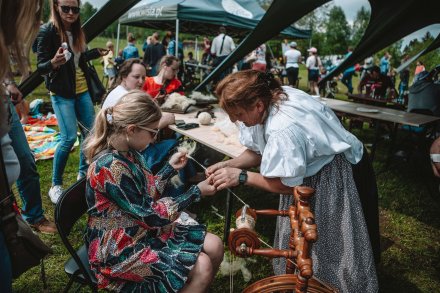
[(79, 38)]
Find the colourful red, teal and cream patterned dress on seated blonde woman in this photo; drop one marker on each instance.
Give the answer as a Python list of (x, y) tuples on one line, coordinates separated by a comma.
[(134, 242)]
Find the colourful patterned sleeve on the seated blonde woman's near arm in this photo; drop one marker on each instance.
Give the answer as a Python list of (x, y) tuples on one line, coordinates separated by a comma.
[(128, 188)]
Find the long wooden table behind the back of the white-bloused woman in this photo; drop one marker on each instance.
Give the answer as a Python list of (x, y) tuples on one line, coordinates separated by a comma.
[(382, 115)]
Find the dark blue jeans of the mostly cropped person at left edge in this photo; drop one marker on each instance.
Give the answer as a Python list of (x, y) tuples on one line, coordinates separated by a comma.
[(28, 183)]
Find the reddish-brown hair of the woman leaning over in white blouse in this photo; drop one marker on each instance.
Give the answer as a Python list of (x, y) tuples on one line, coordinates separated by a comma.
[(243, 88)]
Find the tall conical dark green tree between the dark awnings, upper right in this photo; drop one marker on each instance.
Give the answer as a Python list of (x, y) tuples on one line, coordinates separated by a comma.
[(337, 32)]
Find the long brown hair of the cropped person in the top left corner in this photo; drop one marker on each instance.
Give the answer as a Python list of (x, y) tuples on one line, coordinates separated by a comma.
[(20, 20)]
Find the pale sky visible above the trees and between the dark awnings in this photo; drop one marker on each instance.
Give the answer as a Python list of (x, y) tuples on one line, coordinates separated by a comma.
[(350, 8)]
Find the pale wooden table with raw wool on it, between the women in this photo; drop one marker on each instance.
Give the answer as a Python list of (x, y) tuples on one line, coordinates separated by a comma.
[(205, 135)]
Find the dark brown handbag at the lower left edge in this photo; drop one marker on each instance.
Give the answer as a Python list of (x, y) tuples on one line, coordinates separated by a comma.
[(26, 250)]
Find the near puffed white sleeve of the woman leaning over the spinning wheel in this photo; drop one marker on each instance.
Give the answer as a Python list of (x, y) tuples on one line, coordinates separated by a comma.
[(285, 157)]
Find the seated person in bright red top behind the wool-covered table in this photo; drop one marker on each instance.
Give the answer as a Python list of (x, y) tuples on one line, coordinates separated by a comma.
[(165, 82)]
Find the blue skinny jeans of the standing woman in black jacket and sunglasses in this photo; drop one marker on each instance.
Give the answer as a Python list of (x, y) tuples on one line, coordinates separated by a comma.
[(68, 112)]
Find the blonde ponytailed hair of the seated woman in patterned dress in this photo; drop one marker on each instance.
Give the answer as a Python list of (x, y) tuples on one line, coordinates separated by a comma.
[(136, 107)]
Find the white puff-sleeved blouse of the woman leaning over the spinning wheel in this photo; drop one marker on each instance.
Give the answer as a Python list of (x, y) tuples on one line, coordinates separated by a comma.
[(298, 138)]
